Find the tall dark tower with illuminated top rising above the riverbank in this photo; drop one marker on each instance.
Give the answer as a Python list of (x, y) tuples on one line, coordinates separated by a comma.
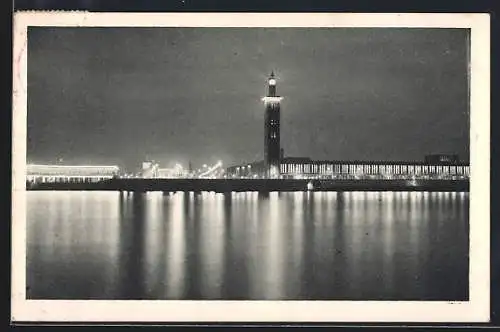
[(272, 129)]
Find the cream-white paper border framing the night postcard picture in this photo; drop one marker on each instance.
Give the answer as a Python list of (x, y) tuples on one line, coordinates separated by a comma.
[(474, 310)]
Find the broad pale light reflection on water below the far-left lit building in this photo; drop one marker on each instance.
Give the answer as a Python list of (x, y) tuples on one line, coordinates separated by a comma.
[(69, 254)]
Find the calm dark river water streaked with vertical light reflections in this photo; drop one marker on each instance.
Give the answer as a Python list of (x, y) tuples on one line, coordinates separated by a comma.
[(353, 245)]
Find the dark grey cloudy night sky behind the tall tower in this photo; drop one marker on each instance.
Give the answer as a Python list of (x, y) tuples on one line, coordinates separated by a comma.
[(124, 95)]
